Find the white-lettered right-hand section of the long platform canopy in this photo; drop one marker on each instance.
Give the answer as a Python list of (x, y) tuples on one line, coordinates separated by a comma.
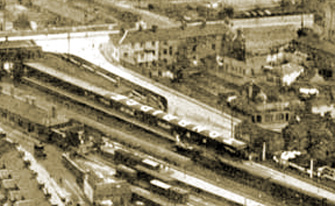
[(176, 126)]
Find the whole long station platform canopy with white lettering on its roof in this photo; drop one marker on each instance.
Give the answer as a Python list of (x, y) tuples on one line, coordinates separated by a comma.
[(175, 125)]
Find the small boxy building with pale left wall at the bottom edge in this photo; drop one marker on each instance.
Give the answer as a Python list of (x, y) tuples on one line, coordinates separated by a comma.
[(106, 189)]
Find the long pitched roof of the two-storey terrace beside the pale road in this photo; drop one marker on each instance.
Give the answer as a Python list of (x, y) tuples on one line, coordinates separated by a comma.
[(169, 34)]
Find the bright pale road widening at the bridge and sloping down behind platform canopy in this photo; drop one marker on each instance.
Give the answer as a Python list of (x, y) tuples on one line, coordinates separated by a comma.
[(86, 45)]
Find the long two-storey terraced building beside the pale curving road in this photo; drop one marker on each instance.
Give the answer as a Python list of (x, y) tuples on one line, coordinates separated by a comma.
[(162, 46)]
